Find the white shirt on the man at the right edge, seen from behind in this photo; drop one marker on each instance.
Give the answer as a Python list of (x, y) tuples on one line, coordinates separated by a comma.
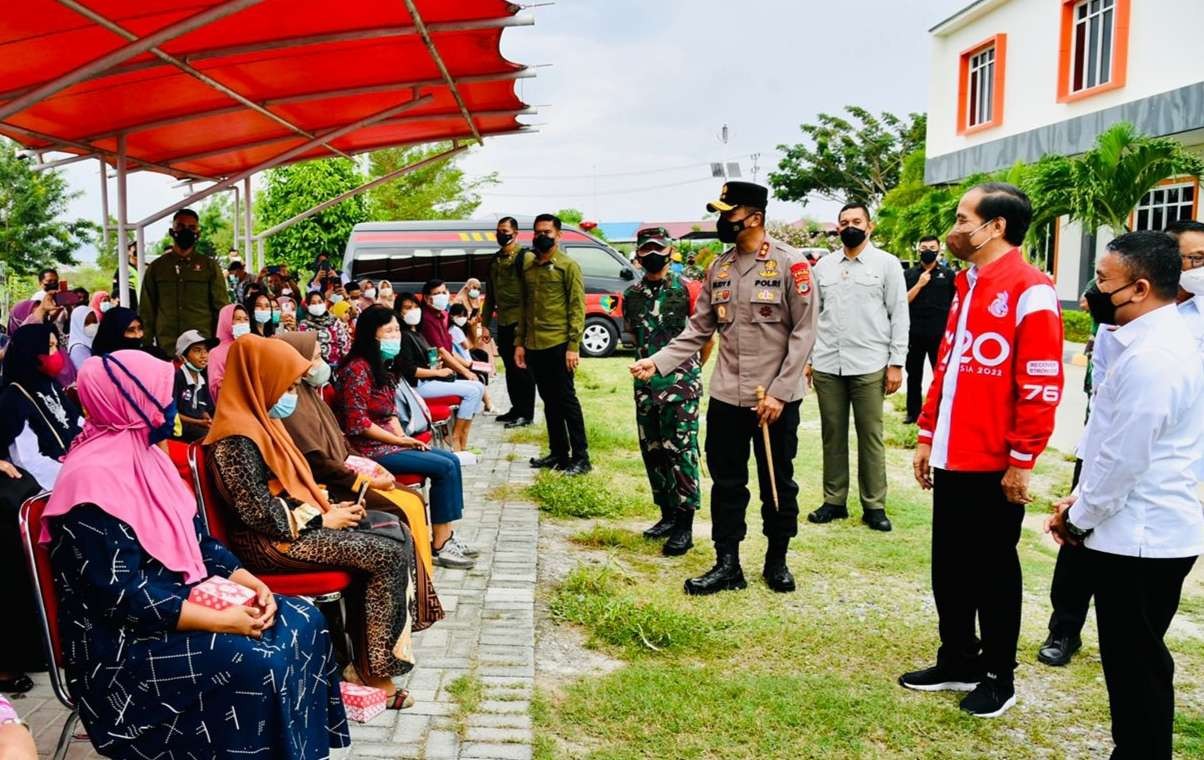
[(1144, 443)]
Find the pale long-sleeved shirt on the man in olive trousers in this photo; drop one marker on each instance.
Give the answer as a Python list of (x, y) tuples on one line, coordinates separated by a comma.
[(864, 314)]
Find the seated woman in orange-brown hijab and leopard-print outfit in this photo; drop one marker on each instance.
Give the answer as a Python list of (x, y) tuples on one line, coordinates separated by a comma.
[(285, 520)]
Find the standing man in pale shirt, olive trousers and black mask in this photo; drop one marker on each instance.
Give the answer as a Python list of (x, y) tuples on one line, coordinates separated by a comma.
[(860, 351)]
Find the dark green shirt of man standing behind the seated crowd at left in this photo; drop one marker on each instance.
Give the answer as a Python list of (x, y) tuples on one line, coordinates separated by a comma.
[(181, 294)]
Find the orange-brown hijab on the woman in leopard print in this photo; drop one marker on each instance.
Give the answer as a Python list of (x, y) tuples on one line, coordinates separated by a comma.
[(258, 373)]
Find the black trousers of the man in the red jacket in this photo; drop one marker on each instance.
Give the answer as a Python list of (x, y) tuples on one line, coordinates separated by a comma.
[(976, 570)]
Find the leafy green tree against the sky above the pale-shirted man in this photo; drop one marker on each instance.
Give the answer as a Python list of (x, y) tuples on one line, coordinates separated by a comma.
[(845, 160)]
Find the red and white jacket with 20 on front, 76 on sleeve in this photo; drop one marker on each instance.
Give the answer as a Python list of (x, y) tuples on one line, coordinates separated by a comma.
[(1004, 344)]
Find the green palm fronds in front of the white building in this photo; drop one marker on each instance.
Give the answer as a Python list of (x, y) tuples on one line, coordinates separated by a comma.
[(1103, 186)]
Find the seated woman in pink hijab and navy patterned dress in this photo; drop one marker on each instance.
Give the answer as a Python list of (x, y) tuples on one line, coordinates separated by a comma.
[(157, 675)]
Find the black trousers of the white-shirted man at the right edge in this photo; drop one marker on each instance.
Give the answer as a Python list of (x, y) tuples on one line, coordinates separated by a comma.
[(1136, 599)]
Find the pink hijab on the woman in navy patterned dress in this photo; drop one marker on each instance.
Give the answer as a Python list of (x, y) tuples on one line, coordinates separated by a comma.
[(113, 466)]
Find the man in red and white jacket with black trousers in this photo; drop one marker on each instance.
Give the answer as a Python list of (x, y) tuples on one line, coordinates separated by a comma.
[(989, 414)]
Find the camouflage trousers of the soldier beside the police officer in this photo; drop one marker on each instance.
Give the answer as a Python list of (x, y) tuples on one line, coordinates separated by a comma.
[(669, 443)]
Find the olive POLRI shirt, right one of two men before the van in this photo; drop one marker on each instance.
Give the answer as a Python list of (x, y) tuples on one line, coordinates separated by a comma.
[(553, 304)]
